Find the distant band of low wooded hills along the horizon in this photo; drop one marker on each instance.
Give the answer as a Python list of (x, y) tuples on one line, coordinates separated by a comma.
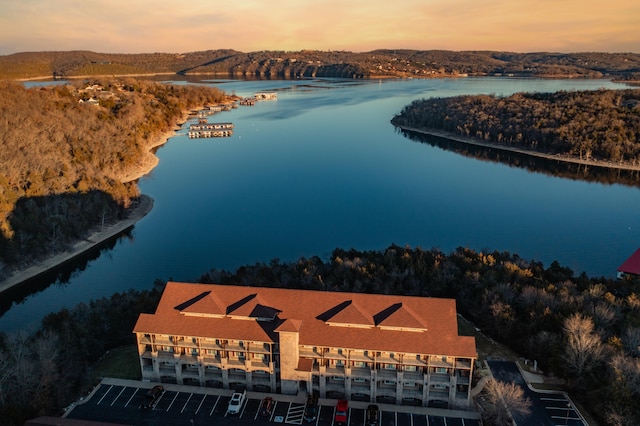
[(313, 63)]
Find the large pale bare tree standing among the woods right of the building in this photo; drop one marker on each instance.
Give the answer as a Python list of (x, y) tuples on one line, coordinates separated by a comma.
[(584, 350)]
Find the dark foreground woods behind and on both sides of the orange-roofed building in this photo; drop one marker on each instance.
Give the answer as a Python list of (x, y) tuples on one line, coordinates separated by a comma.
[(585, 330)]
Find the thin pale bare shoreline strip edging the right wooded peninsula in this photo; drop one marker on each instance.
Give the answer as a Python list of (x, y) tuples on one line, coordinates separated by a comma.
[(556, 157)]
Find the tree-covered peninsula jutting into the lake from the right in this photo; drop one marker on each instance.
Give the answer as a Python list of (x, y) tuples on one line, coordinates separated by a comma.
[(601, 126)]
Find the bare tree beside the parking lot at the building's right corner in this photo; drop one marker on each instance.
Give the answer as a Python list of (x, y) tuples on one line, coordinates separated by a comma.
[(503, 402)]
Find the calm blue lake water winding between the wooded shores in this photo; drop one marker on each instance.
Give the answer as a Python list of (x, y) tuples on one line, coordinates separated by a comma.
[(322, 168)]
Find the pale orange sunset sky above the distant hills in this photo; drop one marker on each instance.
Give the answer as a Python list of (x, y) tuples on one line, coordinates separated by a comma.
[(136, 26)]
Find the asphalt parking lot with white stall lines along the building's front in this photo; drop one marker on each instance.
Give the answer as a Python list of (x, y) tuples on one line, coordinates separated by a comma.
[(182, 405)]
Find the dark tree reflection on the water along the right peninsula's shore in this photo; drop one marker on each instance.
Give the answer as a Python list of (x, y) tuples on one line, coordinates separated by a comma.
[(573, 171)]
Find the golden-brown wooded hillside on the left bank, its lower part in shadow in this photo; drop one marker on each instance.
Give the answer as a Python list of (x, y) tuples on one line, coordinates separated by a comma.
[(69, 154)]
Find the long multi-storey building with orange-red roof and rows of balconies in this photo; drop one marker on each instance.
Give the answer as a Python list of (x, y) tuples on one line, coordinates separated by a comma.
[(385, 348)]
